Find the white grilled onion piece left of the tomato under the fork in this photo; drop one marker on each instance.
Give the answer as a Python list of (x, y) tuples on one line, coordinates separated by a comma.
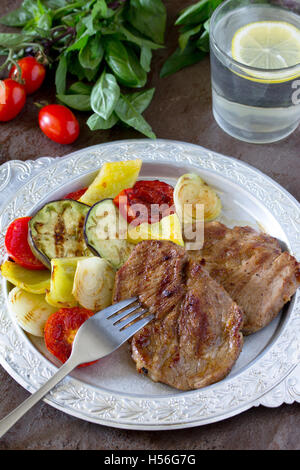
[(30, 310)]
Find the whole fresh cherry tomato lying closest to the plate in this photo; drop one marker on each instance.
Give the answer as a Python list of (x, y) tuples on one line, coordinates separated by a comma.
[(59, 123)]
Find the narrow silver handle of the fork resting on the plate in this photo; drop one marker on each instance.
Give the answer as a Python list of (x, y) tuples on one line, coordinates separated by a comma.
[(7, 422)]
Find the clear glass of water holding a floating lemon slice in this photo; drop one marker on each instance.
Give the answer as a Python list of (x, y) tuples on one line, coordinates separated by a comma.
[(252, 104)]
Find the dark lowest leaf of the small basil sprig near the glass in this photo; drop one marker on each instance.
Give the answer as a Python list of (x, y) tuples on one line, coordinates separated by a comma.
[(180, 59)]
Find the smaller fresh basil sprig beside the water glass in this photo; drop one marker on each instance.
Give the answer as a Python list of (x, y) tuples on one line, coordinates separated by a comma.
[(193, 40)]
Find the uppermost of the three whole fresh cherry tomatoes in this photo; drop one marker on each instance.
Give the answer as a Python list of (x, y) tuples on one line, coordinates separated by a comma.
[(33, 74)]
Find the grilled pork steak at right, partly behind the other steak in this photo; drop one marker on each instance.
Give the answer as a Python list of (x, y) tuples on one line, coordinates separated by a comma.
[(252, 268)]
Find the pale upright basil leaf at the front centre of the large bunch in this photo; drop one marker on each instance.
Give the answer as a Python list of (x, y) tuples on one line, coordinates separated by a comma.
[(105, 95)]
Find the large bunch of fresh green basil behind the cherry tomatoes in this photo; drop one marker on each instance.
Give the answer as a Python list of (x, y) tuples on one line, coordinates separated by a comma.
[(103, 46)]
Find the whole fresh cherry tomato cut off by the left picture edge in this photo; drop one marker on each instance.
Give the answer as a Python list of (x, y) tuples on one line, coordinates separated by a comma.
[(12, 99)]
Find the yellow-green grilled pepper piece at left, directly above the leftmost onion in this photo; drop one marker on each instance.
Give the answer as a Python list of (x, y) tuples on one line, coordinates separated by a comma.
[(36, 282)]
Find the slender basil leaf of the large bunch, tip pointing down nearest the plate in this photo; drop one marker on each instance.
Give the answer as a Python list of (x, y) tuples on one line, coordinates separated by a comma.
[(128, 114)]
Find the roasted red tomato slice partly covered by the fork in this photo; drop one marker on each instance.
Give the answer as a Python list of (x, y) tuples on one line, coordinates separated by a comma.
[(60, 330)]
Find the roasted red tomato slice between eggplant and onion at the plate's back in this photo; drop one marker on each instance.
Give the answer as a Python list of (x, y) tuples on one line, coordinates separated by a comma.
[(147, 201)]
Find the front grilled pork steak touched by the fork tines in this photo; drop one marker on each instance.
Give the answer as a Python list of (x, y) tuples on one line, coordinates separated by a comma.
[(195, 338)]
